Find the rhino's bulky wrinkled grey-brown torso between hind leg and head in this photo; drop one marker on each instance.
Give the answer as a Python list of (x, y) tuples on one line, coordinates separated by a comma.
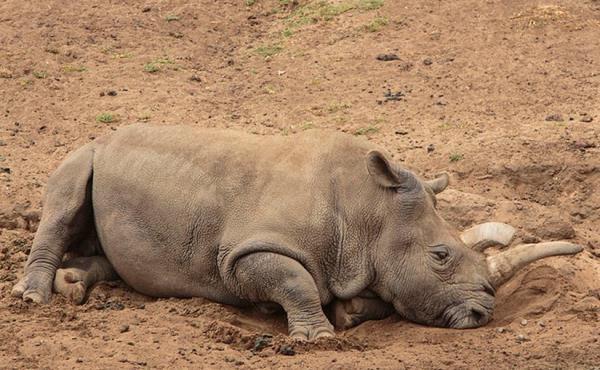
[(167, 198)]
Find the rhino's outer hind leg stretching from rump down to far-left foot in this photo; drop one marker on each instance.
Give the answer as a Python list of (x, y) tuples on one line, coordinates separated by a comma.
[(66, 219)]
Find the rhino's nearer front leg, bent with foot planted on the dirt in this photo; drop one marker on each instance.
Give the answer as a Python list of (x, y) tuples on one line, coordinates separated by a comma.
[(270, 277)]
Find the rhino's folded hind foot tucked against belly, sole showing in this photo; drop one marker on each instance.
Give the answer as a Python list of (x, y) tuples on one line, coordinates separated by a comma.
[(77, 275)]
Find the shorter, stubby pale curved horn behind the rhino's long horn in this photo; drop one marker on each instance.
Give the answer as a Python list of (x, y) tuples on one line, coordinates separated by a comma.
[(485, 235)]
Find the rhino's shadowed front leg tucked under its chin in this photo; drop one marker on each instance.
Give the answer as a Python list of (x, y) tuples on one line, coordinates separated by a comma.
[(346, 314)]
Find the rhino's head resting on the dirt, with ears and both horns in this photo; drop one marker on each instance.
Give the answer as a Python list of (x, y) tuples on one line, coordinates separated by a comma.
[(430, 272)]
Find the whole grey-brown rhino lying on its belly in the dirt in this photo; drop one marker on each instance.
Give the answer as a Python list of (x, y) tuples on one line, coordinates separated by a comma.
[(299, 221)]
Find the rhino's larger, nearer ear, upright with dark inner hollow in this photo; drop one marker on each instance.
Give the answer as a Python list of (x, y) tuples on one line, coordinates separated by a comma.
[(386, 175)]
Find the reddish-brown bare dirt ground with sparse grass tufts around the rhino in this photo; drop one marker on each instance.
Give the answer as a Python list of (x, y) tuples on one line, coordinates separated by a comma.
[(504, 95)]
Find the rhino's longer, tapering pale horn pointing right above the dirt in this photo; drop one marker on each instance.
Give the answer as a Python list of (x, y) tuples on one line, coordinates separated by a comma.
[(504, 265)]
